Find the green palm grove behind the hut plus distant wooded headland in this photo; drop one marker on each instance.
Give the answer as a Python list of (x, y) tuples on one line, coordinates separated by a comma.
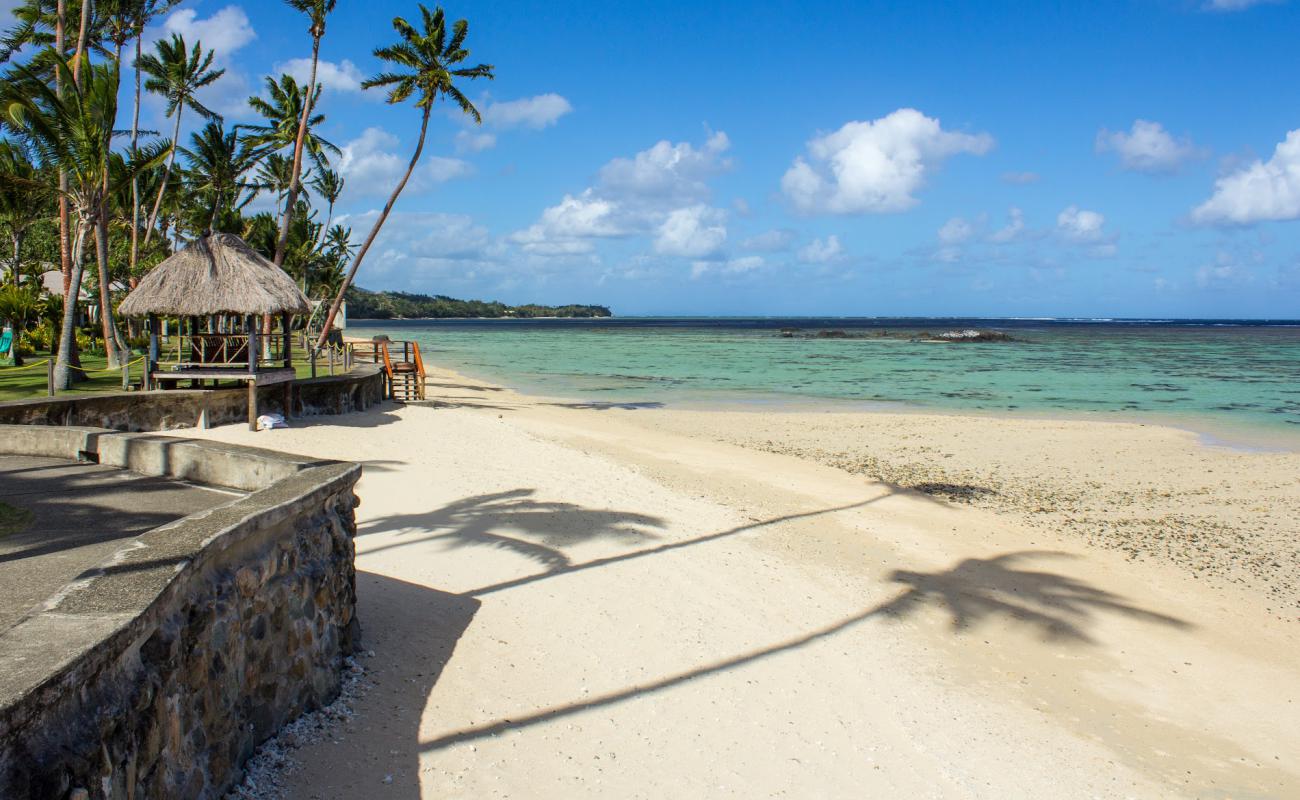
[(88, 196)]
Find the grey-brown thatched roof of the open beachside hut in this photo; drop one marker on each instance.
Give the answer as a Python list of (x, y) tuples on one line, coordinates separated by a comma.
[(216, 275)]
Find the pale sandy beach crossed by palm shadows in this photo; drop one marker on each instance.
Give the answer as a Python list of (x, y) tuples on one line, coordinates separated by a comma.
[(569, 600)]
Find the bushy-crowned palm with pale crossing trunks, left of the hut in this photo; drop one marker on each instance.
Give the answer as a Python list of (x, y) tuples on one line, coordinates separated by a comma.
[(73, 133)]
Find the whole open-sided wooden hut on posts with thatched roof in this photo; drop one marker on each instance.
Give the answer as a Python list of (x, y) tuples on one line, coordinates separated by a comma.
[(222, 289)]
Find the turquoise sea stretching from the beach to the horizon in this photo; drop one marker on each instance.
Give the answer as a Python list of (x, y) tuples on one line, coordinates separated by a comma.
[(1206, 375)]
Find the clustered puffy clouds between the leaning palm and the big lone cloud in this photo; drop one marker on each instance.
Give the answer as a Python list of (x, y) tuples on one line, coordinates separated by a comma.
[(661, 193)]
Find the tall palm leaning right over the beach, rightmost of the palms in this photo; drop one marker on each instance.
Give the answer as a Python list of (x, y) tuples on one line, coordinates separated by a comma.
[(428, 62)]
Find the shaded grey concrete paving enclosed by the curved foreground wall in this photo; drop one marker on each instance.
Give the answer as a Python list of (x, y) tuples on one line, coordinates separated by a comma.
[(72, 517)]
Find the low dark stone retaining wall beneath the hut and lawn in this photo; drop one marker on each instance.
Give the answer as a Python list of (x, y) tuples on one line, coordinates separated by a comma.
[(168, 410)]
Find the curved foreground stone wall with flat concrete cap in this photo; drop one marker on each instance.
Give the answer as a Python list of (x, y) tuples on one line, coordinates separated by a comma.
[(158, 674)]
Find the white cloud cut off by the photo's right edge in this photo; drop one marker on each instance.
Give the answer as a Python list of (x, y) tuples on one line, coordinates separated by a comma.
[(1262, 191)]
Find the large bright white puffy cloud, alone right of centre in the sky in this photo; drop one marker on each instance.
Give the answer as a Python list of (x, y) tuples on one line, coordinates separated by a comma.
[(876, 167)]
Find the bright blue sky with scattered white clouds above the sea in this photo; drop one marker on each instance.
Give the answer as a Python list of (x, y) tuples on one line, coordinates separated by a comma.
[(1093, 159)]
